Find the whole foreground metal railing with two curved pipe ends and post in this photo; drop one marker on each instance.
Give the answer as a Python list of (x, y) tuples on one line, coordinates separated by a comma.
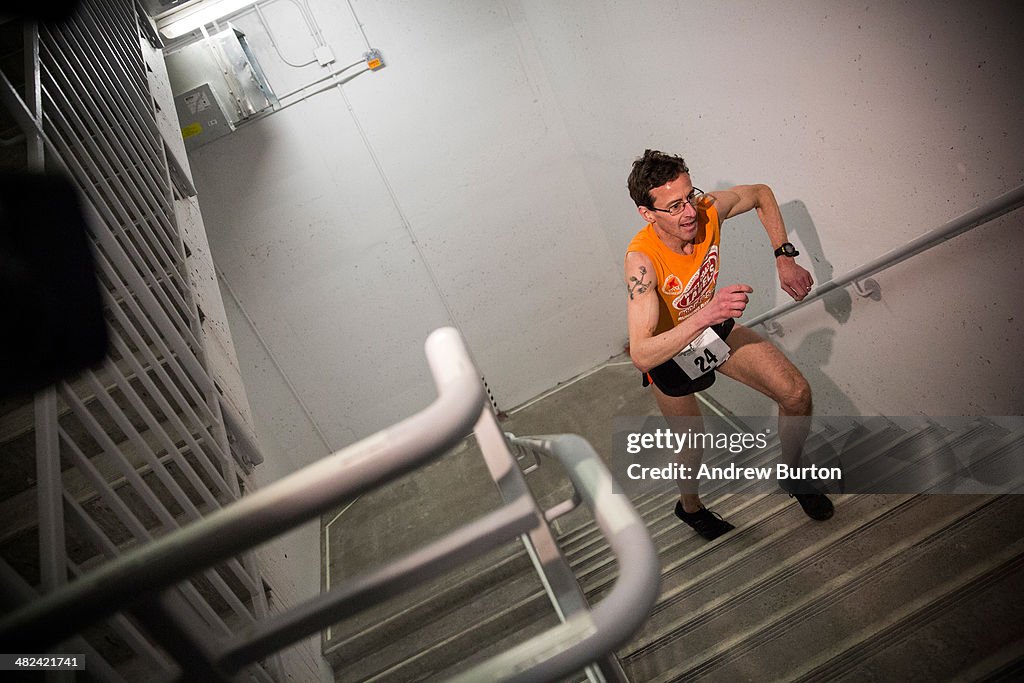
[(140, 582)]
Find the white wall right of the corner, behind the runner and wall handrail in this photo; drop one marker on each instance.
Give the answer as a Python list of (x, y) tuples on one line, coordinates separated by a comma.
[(874, 123)]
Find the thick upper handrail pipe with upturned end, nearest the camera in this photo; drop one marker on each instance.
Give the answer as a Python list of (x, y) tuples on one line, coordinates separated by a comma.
[(267, 514)]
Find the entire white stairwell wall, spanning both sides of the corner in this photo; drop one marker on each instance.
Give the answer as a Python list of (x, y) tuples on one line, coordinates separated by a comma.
[(479, 181)]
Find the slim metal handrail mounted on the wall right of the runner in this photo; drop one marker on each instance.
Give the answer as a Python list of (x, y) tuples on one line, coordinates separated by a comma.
[(993, 209)]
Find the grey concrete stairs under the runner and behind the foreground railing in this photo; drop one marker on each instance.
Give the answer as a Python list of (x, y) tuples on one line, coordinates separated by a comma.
[(735, 590)]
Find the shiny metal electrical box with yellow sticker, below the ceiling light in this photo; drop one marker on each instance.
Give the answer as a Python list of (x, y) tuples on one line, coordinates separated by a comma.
[(218, 83)]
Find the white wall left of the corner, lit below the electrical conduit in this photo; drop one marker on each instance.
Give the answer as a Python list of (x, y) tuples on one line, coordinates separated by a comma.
[(350, 235)]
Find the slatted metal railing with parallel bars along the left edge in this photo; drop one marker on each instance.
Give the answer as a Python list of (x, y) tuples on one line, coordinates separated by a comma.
[(136, 449)]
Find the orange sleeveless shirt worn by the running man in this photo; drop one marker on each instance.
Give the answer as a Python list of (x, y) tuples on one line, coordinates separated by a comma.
[(686, 284)]
